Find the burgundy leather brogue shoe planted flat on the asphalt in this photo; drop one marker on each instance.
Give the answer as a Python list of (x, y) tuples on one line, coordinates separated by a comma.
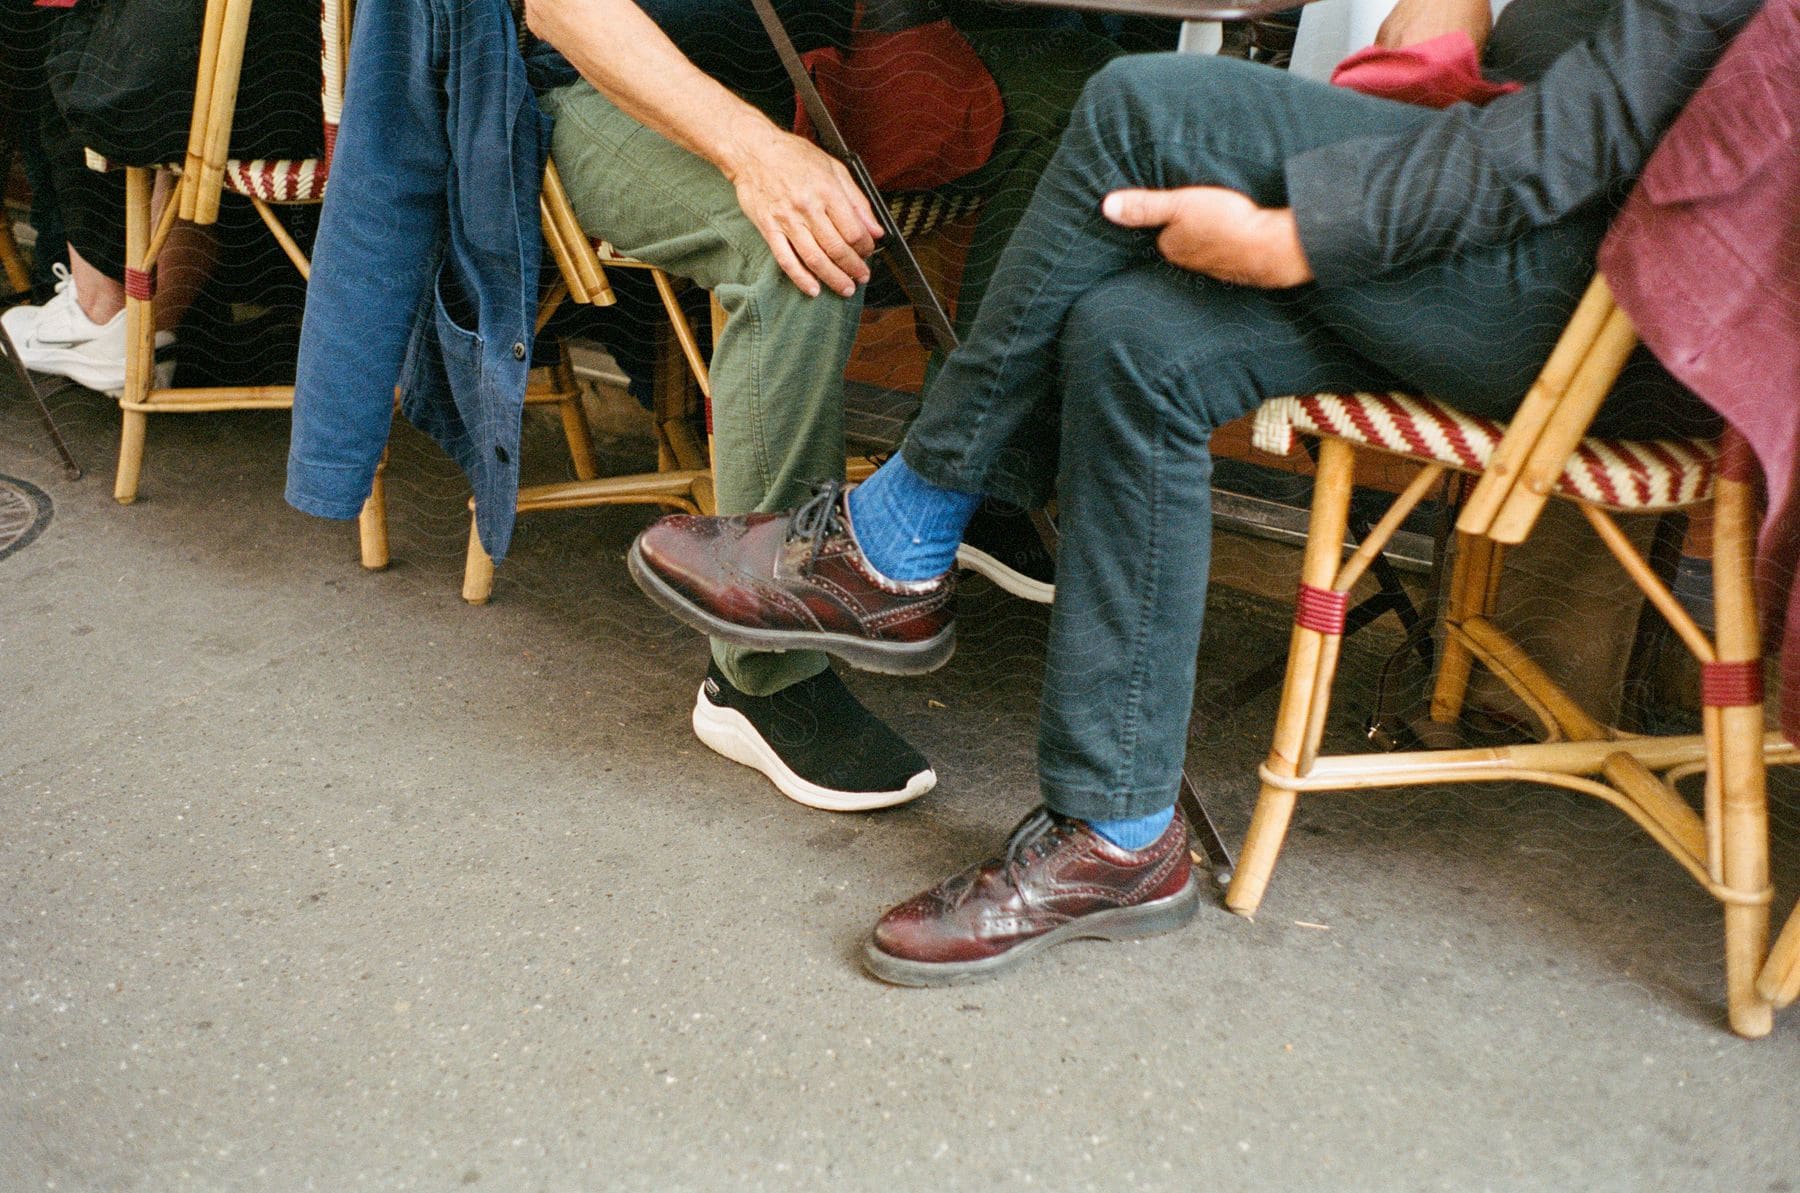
[(1057, 881)]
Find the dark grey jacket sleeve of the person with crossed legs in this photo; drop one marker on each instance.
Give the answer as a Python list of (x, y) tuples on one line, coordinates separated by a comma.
[(1484, 175)]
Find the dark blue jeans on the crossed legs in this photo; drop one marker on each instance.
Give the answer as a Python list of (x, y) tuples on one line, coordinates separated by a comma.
[(1088, 332)]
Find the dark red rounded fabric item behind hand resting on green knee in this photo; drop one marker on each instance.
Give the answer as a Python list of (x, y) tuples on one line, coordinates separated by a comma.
[(915, 105)]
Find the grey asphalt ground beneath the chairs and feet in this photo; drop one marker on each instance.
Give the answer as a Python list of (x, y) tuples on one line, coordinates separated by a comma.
[(325, 881)]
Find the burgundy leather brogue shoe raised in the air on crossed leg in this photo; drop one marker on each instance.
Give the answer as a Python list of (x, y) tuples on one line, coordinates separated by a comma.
[(795, 582)]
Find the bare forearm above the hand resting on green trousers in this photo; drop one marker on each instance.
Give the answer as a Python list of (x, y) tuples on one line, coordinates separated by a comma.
[(631, 62)]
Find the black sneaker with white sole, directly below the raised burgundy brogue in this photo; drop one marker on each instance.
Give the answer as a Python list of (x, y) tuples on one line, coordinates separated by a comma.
[(814, 740)]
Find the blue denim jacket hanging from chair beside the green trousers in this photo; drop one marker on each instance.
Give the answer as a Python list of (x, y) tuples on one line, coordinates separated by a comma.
[(426, 269)]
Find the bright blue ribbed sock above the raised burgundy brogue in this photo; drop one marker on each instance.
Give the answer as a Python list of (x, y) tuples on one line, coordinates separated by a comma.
[(908, 526)]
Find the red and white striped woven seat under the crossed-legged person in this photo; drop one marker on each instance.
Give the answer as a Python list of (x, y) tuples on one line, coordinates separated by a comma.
[(1615, 474)]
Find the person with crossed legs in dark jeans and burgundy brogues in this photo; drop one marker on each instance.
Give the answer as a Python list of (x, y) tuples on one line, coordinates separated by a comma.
[(1210, 235)]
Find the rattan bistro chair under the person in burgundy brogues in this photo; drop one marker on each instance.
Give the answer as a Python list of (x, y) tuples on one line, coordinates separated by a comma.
[(1543, 454)]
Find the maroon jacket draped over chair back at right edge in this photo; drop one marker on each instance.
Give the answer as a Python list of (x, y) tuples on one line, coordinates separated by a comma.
[(1705, 258)]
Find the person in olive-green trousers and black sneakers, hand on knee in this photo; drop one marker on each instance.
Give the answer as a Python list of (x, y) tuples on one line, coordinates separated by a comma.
[(669, 148)]
